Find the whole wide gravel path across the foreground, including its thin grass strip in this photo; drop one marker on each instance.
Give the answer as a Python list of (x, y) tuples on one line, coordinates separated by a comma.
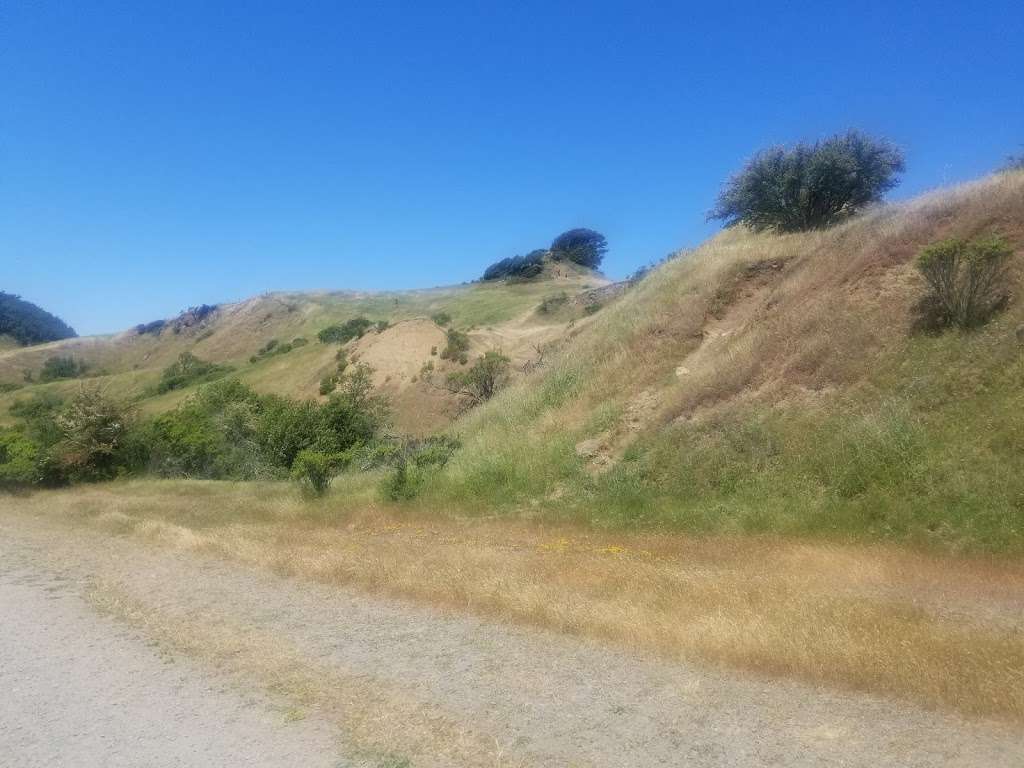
[(394, 678)]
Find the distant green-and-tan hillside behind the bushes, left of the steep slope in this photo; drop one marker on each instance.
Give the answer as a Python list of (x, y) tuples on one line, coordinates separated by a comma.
[(130, 364)]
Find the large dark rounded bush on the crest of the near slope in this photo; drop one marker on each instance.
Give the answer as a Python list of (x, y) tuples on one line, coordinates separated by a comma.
[(810, 187)]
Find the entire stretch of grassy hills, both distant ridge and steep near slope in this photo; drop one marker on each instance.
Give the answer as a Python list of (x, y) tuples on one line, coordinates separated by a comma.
[(758, 383)]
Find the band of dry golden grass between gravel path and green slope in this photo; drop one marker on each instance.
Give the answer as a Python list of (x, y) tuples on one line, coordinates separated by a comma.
[(943, 631)]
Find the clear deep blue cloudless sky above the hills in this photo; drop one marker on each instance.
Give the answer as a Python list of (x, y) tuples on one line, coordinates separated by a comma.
[(155, 156)]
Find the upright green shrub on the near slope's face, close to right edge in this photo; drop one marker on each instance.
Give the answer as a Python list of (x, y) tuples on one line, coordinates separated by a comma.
[(966, 282)]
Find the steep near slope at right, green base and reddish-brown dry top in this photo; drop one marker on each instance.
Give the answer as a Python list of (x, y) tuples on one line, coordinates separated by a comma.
[(774, 383)]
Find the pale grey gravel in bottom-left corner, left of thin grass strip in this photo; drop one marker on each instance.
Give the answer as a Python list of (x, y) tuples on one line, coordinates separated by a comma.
[(80, 691)]
